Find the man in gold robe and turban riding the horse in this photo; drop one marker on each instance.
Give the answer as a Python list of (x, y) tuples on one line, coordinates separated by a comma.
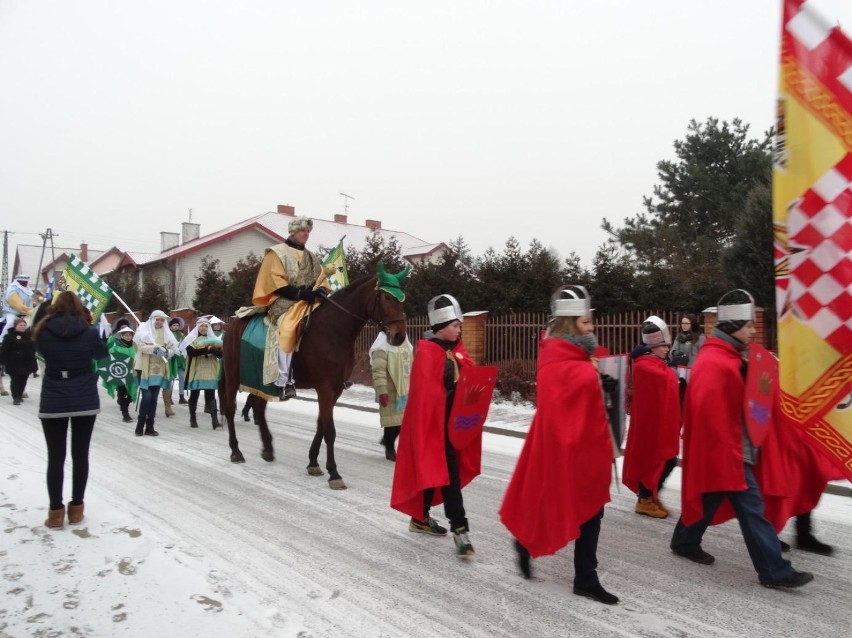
[(287, 286)]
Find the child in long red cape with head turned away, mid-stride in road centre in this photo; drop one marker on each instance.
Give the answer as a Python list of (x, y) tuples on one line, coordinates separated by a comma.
[(561, 483)]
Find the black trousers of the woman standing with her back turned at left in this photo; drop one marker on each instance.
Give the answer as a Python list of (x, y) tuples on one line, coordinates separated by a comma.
[(56, 435)]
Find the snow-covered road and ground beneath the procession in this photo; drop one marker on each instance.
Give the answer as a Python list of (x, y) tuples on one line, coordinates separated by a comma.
[(177, 541)]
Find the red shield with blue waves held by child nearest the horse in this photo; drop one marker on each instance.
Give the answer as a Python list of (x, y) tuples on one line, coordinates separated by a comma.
[(470, 406)]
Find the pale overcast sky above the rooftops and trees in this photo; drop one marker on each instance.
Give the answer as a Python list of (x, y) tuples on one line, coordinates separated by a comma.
[(443, 119)]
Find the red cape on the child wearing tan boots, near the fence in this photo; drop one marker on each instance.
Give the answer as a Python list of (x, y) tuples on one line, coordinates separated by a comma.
[(654, 435)]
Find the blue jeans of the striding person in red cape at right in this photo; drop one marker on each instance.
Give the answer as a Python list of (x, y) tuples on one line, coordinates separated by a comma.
[(760, 537)]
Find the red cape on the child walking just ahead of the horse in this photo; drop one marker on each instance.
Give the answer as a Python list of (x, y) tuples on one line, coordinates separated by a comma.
[(421, 461)]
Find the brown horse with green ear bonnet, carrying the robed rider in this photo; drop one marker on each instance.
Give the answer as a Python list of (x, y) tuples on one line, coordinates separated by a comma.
[(324, 361)]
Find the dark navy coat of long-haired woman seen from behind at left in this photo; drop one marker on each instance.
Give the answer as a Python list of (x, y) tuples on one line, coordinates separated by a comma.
[(69, 345)]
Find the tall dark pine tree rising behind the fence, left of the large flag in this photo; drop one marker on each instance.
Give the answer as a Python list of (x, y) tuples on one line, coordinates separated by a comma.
[(676, 245)]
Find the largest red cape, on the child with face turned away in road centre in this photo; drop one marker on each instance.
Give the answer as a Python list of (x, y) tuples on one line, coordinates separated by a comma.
[(563, 473)]
